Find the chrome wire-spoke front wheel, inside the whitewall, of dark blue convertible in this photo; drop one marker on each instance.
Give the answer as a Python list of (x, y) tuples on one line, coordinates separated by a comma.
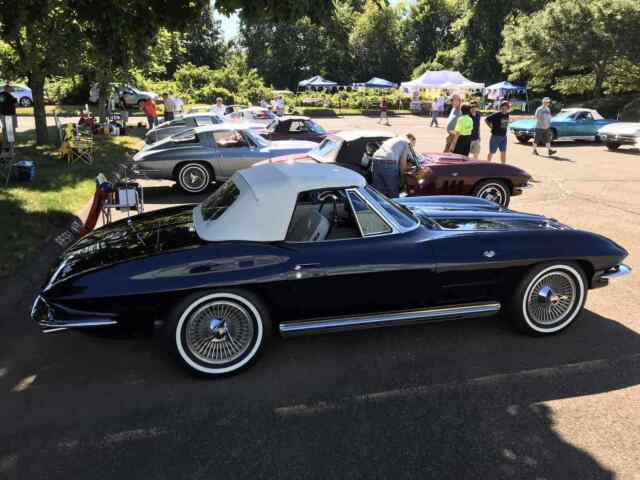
[(552, 298)]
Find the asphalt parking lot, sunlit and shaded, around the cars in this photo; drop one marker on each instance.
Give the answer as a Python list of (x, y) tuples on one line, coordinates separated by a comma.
[(469, 399)]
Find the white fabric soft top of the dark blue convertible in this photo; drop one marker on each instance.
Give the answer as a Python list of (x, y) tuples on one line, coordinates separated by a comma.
[(268, 193)]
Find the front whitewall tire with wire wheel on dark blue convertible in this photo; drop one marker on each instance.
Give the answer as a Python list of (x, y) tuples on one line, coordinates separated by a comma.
[(549, 298)]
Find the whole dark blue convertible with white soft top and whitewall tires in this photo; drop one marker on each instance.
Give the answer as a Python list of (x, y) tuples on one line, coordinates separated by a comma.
[(307, 248)]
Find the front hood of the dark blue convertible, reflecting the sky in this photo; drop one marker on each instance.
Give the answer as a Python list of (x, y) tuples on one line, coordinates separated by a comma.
[(471, 213)]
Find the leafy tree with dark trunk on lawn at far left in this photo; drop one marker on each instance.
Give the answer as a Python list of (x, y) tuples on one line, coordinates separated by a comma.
[(41, 39)]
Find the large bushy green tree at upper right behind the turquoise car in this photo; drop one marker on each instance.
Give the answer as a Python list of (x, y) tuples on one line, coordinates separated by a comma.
[(574, 46)]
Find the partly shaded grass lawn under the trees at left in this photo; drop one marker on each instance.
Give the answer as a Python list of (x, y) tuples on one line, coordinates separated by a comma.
[(32, 212)]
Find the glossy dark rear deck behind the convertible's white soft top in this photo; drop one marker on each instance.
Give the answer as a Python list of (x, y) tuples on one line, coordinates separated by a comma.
[(140, 236)]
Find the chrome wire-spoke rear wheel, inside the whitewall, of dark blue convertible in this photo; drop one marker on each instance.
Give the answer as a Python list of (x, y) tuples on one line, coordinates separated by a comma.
[(219, 332)]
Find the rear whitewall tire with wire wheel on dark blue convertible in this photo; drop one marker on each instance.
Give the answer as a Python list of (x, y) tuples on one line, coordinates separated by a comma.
[(218, 333)]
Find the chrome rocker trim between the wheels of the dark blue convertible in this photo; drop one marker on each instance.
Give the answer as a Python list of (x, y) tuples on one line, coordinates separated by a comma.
[(359, 322)]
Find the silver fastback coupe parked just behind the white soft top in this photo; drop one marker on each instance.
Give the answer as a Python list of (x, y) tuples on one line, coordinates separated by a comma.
[(197, 157)]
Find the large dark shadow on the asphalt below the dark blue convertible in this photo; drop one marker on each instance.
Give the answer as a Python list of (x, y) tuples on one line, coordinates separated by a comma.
[(457, 400)]
